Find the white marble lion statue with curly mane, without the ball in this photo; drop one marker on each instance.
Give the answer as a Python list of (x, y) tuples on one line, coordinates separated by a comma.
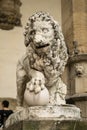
[(45, 59)]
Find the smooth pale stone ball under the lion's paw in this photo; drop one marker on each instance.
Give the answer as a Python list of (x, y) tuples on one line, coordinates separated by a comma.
[(36, 99)]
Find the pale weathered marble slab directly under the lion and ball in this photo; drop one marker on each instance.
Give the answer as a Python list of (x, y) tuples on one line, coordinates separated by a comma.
[(45, 113)]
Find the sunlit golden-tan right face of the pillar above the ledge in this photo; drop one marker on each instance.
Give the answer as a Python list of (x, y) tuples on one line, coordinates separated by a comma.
[(80, 24)]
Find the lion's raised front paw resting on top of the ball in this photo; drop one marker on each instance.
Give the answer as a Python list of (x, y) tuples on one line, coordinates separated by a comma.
[(35, 85)]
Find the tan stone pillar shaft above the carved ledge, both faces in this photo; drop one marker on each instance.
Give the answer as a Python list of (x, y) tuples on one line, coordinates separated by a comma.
[(74, 17)]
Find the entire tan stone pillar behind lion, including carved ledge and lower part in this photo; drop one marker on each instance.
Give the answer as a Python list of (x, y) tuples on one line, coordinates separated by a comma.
[(74, 25)]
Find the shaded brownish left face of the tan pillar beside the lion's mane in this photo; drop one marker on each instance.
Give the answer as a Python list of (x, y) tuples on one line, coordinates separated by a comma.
[(67, 23)]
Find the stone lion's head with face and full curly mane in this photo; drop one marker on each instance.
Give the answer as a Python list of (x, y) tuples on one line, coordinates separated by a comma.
[(45, 44)]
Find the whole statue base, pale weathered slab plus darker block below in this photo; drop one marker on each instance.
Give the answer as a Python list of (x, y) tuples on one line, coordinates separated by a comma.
[(63, 117)]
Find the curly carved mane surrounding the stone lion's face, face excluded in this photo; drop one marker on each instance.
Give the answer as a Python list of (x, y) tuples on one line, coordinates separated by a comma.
[(53, 63)]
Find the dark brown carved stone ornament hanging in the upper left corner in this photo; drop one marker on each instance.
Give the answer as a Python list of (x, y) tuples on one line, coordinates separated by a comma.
[(9, 14)]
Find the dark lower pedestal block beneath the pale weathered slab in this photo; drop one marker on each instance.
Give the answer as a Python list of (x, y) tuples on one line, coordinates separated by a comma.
[(49, 125)]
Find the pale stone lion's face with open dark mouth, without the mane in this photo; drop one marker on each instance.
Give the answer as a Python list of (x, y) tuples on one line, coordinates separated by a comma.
[(42, 35)]
